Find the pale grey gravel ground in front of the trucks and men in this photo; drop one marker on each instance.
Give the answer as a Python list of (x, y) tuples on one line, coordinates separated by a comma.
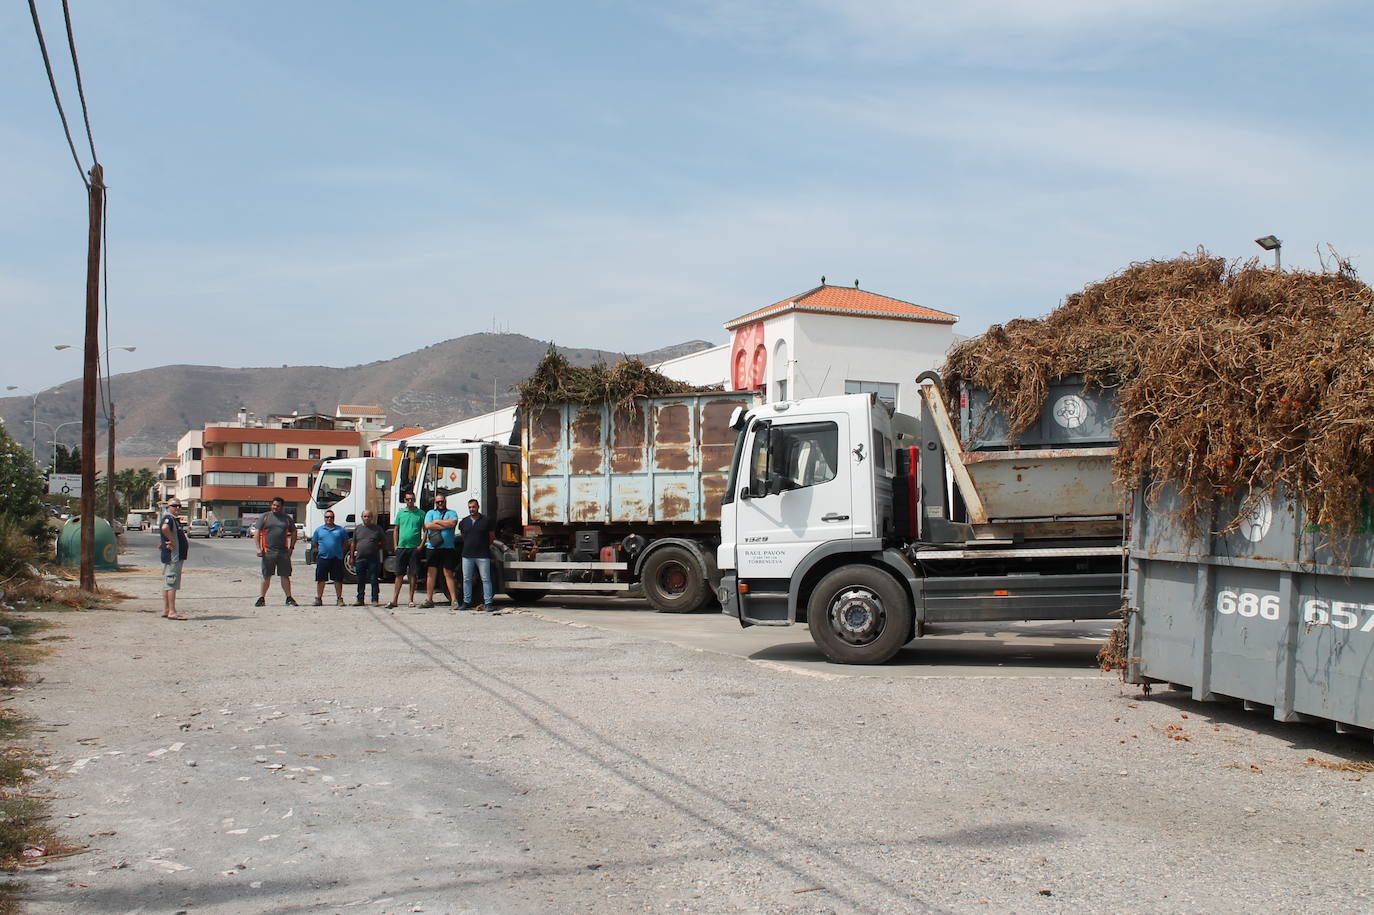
[(344, 759)]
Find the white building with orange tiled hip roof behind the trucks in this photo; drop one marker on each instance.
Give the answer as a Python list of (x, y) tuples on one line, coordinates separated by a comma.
[(829, 340)]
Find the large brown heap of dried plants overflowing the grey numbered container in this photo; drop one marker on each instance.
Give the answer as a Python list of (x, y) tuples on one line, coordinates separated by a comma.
[(1232, 379)]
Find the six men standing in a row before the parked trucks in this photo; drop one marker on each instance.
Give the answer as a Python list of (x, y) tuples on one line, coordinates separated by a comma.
[(438, 538)]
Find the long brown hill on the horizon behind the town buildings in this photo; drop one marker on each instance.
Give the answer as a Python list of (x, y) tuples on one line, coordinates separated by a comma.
[(439, 384)]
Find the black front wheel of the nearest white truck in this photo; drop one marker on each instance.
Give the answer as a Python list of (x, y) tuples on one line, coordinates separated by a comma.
[(859, 615)]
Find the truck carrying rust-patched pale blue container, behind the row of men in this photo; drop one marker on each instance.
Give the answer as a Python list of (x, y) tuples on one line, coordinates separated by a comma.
[(612, 499)]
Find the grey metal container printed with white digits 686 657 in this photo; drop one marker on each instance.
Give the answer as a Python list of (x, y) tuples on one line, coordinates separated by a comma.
[(1265, 613)]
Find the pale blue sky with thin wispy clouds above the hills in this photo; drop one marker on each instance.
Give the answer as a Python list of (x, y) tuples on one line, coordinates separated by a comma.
[(333, 183)]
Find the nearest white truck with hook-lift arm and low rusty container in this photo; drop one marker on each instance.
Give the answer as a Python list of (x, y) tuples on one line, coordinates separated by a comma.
[(840, 515)]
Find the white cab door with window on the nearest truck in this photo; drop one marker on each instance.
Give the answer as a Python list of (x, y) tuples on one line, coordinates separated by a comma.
[(795, 495)]
